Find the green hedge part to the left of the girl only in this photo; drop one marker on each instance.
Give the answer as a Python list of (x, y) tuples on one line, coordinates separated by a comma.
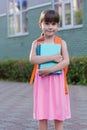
[(15, 70)]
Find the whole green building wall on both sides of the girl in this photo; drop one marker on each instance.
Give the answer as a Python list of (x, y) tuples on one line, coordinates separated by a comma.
[(19, 47)]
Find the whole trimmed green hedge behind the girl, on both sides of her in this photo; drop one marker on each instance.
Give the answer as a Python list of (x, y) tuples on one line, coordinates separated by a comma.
[(20, 70)]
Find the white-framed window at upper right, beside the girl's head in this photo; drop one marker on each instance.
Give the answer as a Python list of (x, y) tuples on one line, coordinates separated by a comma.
[(70, 12)]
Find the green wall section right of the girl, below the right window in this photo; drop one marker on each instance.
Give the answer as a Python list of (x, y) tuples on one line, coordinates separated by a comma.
[(76, 40)]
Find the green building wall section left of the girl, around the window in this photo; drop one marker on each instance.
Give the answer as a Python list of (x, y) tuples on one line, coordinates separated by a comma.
[(19, 47)]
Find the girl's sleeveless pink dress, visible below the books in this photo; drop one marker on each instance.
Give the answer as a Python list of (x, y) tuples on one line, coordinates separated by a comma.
[(50, 100)]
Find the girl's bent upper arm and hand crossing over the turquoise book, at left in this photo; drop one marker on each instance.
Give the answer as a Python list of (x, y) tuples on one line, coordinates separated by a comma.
[(35, 59)]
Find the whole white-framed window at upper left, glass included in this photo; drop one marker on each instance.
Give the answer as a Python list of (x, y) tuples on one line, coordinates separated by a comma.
[(17, 17)]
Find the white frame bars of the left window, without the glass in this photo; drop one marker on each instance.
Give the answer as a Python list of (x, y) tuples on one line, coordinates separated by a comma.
[(14, 14)]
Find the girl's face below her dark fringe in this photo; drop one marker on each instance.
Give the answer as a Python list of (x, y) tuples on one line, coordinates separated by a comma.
[(49, 28)]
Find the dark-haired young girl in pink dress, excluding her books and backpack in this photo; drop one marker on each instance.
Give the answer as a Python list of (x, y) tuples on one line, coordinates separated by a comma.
[(50, 100)]
